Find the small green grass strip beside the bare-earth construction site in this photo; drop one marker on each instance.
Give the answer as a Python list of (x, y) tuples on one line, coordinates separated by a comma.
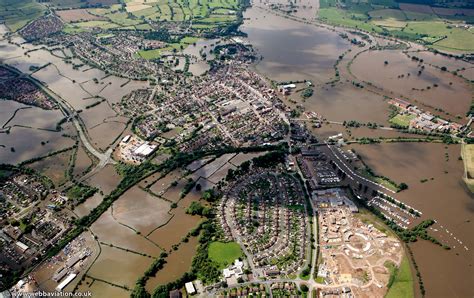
[(401, 280)]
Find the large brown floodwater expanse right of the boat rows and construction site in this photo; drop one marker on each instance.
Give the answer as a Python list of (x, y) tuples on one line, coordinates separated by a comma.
[(443, 198)]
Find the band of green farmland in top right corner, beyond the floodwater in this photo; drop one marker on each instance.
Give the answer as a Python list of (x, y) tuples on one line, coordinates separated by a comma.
[(442, 29)]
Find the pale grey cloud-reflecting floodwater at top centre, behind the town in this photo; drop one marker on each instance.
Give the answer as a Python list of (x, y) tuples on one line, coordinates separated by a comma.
[(292, 50)]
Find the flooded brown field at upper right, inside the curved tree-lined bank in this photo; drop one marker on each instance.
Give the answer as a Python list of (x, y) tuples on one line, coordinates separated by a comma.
[(432, 87)]
